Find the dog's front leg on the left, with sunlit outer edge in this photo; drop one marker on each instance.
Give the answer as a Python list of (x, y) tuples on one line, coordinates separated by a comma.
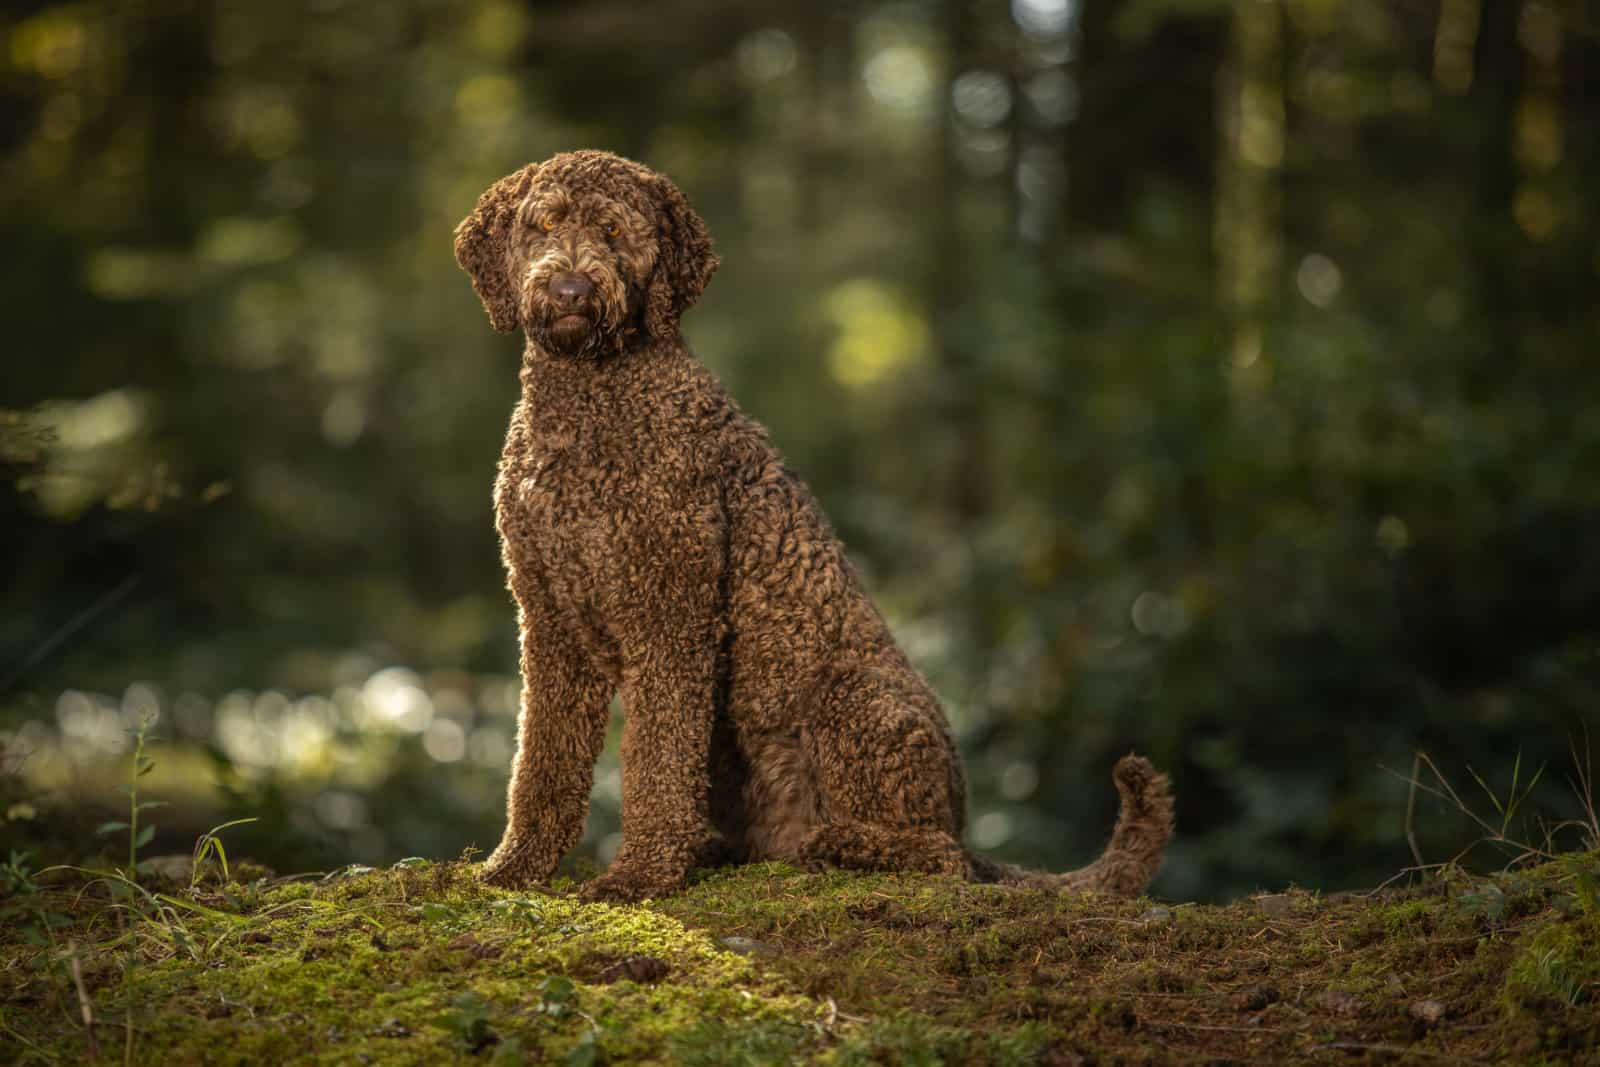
[(561, 732)]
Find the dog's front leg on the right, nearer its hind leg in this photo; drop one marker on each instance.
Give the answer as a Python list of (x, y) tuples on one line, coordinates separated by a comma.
[(671, 644)]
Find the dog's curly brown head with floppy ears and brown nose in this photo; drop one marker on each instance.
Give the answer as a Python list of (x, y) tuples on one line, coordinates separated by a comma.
[(586, 250)]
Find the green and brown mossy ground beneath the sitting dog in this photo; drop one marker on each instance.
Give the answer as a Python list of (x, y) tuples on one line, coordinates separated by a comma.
[(423, 965)]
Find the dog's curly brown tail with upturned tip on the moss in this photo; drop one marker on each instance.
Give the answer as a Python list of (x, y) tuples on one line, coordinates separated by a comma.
[(1145, 826)]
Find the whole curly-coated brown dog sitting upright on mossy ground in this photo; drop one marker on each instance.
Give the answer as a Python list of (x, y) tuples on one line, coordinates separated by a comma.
[(657, 545)]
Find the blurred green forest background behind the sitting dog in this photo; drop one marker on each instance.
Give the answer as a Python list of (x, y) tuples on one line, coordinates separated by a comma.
[(1215, 378)]
